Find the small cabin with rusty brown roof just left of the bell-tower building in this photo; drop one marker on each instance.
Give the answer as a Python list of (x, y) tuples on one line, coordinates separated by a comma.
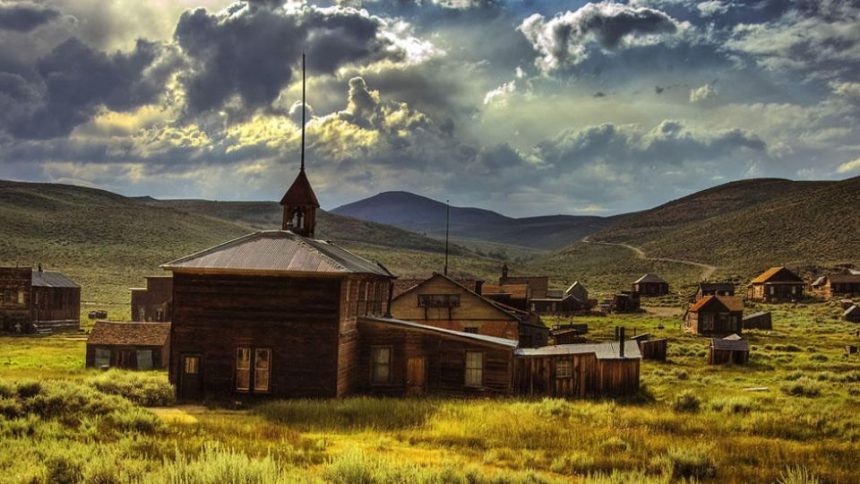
[(132, 346)]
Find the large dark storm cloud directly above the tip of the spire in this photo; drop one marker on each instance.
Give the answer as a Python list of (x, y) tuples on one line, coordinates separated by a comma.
[(249, 51)]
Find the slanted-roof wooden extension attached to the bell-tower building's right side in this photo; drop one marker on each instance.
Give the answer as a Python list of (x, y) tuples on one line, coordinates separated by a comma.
[(400, 358)]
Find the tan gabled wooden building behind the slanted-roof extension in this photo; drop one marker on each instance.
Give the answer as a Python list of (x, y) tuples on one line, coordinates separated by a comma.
[(442, 302)]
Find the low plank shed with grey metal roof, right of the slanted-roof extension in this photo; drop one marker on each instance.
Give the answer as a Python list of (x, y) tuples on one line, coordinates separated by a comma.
[(578, 370)]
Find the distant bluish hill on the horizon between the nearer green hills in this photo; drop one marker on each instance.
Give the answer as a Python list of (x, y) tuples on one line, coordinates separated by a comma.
[(424, 215)]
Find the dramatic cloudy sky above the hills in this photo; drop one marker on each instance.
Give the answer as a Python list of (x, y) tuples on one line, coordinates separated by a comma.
[(525, 107)]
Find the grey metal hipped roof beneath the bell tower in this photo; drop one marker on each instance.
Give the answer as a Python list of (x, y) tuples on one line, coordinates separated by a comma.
[(277, 252)]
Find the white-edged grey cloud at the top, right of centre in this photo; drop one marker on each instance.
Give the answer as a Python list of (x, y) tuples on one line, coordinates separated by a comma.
[(564, 41)]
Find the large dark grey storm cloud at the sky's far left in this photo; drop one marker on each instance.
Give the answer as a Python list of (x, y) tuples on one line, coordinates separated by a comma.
[(74, 81)]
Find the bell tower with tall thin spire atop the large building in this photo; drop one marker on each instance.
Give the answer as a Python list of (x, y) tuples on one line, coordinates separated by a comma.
[(300, 203)]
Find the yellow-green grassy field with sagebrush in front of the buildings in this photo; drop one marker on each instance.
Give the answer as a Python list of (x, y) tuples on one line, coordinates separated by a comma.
[(789, 416)]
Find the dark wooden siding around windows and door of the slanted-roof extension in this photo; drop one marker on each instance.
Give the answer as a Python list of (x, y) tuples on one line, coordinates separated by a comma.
[(444, 356)]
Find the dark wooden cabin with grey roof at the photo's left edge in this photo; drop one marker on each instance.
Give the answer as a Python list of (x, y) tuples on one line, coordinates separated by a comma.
[(33, 300)]
